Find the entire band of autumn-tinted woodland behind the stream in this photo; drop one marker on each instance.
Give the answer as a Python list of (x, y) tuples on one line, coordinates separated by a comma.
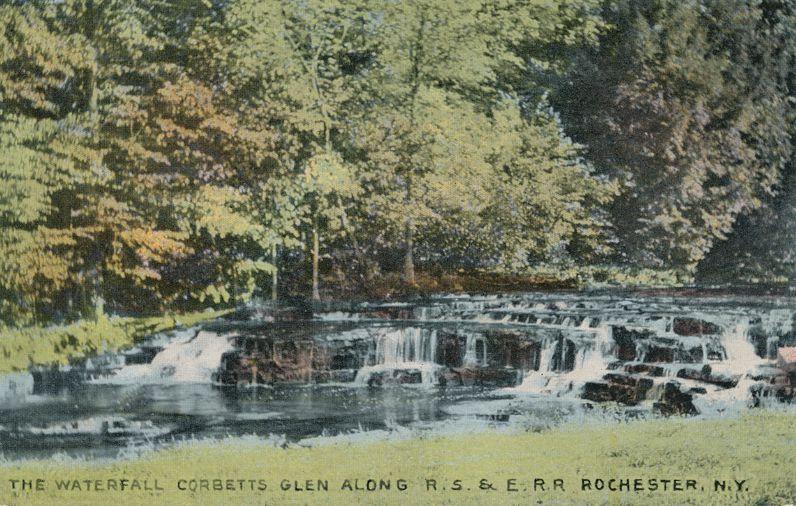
[(163, 154)]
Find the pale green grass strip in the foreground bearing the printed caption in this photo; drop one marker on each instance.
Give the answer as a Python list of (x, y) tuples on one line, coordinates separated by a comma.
[(759, 448)]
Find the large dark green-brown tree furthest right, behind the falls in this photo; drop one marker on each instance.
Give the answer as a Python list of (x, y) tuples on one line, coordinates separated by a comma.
[(682, 105)]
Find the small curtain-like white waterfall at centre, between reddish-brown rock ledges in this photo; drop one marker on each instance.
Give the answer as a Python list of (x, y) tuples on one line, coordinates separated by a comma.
[(403, 356)]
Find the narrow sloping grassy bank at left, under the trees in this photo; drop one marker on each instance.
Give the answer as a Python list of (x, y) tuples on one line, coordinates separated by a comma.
[(54, 345)]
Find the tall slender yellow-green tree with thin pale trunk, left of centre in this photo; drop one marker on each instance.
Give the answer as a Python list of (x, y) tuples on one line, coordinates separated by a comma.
[(307, 57)]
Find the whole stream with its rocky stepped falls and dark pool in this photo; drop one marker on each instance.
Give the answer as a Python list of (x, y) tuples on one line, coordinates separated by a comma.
[(440, 364)]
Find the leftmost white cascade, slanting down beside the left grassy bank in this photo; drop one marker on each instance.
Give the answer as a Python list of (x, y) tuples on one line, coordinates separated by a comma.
[(183, 360)]
